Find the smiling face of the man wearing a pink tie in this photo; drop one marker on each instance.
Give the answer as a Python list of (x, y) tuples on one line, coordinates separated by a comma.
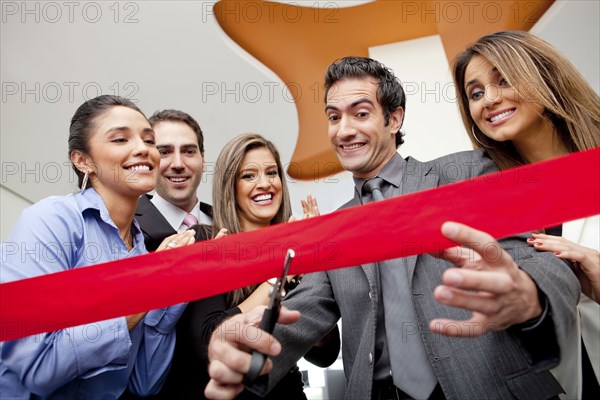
[(181, 163)]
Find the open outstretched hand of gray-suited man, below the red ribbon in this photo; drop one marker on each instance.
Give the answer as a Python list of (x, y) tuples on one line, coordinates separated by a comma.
[(486, 281)]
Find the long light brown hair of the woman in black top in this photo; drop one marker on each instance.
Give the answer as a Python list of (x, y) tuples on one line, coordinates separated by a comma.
[(225, 208)]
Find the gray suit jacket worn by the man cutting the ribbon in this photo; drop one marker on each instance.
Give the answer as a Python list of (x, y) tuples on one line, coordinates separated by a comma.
[(509, 364)]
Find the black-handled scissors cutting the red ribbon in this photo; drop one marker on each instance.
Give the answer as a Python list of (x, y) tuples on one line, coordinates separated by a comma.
[(269, 319)]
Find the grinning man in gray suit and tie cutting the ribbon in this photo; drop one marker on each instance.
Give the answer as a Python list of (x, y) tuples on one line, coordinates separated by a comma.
[(489, 328)]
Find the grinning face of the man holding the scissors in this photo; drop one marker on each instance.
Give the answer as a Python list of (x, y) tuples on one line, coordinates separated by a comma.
[(357, 129)]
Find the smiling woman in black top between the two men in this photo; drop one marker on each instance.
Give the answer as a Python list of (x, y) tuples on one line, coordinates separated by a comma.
[(249, 192)]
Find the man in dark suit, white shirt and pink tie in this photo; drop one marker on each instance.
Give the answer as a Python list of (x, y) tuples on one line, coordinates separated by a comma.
[(180, 143)]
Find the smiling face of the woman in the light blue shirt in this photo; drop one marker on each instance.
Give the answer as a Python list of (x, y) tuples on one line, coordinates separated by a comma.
[(123, 160)]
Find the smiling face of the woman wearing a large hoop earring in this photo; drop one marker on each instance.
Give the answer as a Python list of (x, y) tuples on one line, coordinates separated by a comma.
[(497, 109)]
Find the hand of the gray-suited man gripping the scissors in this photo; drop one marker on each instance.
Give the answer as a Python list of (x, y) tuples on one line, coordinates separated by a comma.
[(229, 359)]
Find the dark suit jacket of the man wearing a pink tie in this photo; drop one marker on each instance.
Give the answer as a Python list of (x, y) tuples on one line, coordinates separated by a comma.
[(154, 226)]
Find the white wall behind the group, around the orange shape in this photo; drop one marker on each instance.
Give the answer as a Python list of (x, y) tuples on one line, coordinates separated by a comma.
[(174, 54)]
